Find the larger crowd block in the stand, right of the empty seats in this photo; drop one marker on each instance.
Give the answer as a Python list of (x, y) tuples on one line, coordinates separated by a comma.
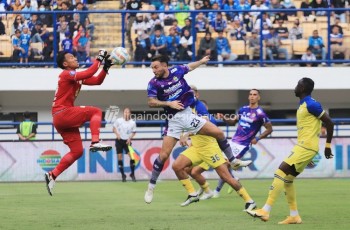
[(171, 33)]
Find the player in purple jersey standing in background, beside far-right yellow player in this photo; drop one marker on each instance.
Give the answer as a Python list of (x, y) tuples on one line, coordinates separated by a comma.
[(250, 119)]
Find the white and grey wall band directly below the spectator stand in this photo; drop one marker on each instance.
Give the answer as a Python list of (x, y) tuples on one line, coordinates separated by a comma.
[(224, 88)]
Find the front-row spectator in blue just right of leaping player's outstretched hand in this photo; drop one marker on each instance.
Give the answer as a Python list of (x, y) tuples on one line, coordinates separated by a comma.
[(223, 49)]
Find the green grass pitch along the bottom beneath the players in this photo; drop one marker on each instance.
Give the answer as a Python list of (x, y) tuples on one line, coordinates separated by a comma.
[(323, 204)]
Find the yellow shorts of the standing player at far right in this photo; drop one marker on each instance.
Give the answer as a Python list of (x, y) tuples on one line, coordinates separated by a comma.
[(300, 158)]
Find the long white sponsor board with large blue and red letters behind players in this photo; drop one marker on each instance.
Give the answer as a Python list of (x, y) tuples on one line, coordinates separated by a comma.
[(28, 161)]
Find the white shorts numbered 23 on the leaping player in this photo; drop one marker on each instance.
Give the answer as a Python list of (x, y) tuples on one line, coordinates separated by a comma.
[(184, 121)]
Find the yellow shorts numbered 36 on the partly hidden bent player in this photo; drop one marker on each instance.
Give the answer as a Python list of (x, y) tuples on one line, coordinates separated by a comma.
[(210, 155)]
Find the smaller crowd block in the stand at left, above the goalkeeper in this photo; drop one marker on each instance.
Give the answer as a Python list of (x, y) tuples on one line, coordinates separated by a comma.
[(32, 34)]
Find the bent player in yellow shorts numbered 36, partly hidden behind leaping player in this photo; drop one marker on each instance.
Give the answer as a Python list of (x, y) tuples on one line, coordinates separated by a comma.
[(205, 149)]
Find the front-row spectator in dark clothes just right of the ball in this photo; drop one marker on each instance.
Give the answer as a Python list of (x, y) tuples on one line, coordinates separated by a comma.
[(143, 47)]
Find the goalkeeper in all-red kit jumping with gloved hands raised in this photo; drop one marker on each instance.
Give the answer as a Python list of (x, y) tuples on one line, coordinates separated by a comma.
[(67, 118)]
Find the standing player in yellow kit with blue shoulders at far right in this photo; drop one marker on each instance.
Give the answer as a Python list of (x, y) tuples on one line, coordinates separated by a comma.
[(310, 115)]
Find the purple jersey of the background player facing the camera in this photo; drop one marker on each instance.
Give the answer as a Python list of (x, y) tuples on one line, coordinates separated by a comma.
[(249, 124)]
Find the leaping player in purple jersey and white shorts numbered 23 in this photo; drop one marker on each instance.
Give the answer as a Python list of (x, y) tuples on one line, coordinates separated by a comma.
[(169, 90)]
